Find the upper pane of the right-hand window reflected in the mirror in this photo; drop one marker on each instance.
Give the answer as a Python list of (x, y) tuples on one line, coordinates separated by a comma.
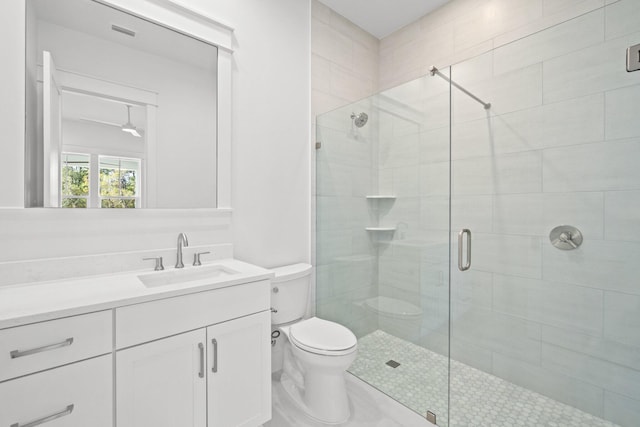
[(119, 177)]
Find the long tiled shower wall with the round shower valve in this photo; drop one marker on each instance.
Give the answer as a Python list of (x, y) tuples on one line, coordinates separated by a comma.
[(560, 146)]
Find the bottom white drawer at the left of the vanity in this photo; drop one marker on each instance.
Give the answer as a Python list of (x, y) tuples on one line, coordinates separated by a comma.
[(76, 395)]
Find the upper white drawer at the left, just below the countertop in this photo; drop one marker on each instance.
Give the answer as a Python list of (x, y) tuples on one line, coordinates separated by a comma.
[(31, 348)]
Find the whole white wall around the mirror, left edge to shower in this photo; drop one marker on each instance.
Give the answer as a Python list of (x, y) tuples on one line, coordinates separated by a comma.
[(270, 152)]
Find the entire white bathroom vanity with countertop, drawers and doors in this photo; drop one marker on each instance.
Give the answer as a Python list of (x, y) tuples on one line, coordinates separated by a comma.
[(112, 350)]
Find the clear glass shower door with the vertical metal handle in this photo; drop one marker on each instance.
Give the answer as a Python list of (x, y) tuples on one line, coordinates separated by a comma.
[(541, 335)]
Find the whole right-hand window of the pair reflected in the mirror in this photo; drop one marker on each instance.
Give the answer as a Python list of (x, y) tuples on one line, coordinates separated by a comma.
[(119, 179)]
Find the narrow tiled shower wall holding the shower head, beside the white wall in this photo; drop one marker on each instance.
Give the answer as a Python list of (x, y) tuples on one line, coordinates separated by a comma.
[(344, 66)]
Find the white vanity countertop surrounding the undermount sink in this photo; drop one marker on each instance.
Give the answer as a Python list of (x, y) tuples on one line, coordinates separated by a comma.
[(40, 301)]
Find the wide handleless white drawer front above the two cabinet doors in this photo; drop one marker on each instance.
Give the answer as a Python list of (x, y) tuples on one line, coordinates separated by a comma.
[(145, 322)]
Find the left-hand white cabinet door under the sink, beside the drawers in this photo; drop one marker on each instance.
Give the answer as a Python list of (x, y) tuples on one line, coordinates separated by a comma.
[(163, 383)]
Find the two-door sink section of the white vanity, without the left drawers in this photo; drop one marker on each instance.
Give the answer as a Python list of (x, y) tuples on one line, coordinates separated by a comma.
[(199, 360)]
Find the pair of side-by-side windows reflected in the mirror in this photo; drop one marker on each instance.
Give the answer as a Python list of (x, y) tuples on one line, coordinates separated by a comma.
[(100, 181)]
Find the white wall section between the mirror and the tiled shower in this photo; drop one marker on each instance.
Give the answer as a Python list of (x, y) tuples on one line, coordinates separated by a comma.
[(270, 172)]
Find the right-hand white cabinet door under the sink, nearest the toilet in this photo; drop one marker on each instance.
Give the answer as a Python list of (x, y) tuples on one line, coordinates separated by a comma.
[(239, 371)]
